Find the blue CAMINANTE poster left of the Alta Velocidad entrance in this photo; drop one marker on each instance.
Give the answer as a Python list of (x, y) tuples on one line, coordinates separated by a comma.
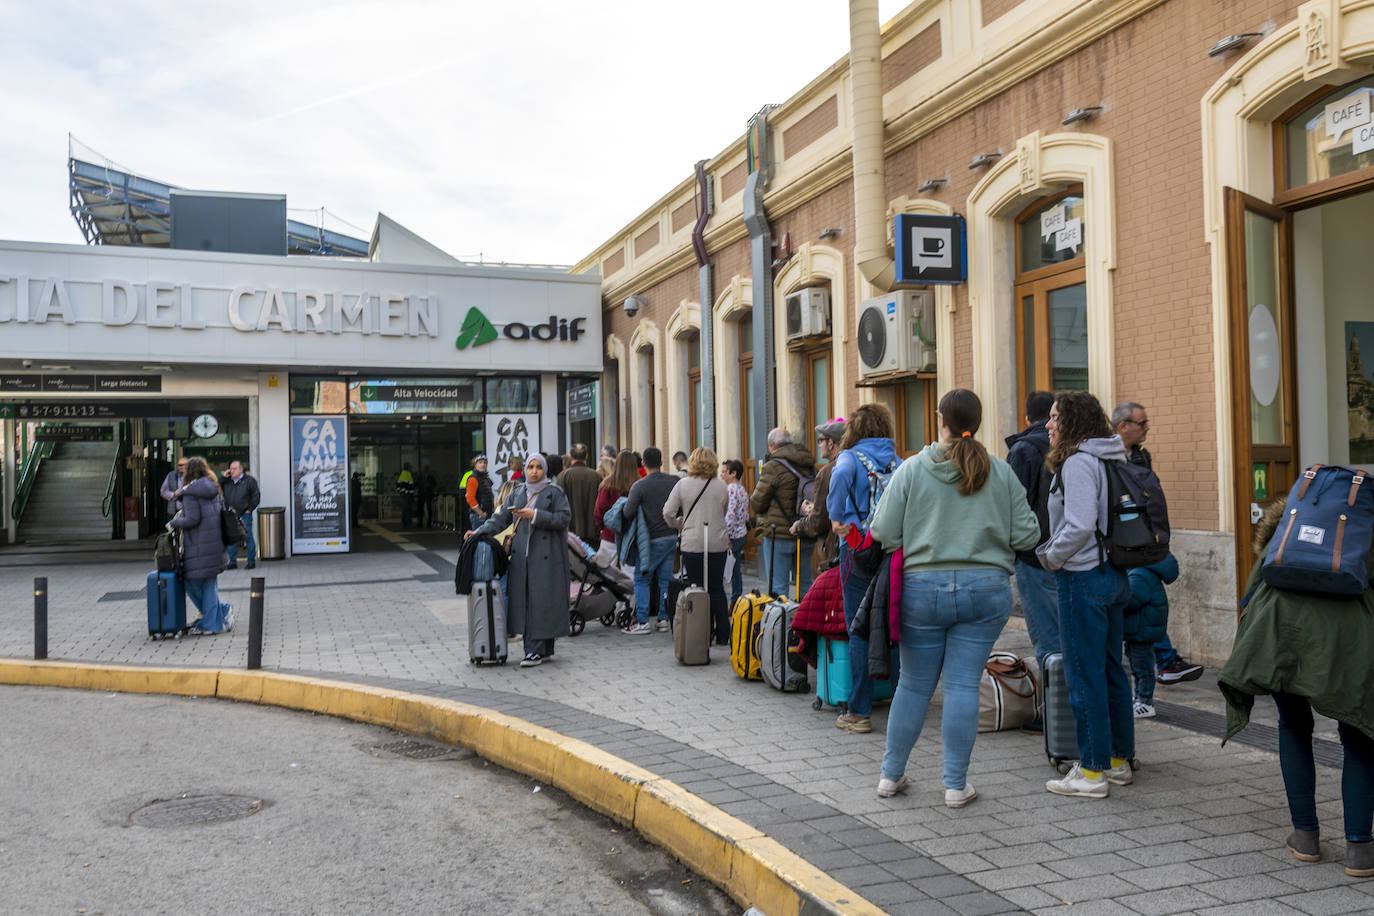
[(319, 485)]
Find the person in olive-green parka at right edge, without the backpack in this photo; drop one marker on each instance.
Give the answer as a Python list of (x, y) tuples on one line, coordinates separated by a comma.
[(1310, 653)]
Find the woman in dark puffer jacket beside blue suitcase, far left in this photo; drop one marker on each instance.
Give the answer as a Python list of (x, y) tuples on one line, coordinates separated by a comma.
[(205, 556)]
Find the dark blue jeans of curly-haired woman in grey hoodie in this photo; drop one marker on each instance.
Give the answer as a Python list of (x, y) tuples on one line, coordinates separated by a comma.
[(1092, 627)]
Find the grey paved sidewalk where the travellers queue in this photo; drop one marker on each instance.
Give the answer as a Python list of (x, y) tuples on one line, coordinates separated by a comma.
[(1202, 830)]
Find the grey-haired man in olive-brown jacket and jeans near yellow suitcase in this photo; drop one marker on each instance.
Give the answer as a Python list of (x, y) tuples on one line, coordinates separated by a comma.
[(787, 481)]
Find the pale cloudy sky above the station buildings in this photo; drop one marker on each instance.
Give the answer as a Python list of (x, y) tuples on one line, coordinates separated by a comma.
[(520, 133)]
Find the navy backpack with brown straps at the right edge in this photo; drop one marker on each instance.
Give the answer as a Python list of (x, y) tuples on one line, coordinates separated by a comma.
[(1324, 543)]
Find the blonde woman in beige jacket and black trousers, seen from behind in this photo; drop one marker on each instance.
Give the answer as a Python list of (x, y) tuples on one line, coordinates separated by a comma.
[(697, 509)]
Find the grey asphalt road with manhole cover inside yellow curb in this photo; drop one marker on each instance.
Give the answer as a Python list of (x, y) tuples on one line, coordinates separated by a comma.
[(94, 789)]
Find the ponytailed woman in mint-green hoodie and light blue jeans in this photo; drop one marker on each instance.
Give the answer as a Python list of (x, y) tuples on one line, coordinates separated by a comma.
[(960, 517)]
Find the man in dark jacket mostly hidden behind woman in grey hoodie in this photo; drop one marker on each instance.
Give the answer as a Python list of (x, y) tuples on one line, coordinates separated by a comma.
[(1035, 584)]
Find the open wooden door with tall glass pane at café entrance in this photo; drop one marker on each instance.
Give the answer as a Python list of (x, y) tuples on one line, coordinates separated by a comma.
[(1263, 362)]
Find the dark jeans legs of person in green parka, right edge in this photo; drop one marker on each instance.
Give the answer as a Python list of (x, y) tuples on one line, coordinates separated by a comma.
[(1300, 771)]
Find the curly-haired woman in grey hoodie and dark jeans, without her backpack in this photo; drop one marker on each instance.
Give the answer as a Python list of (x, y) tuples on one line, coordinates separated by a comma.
[(1093, 597)]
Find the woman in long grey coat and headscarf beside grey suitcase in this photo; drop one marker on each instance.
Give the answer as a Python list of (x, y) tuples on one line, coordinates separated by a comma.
[(538, 579)]
